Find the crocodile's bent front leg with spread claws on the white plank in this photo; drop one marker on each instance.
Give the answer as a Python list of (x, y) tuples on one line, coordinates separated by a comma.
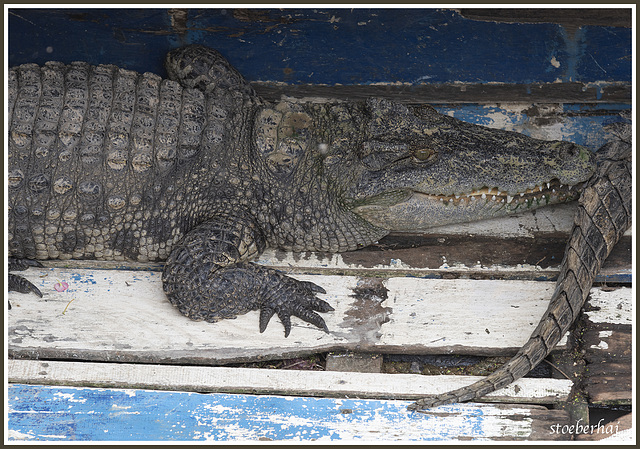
[(207, 277)]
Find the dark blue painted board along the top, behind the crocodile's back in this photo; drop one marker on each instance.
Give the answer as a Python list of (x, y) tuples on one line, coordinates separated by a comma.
[(330, 46)]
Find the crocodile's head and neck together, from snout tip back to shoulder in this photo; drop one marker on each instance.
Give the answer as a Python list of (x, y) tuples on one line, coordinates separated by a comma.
[(358, 170)]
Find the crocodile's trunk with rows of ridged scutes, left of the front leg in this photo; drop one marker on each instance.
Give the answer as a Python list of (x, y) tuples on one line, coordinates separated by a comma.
[(89, 147)]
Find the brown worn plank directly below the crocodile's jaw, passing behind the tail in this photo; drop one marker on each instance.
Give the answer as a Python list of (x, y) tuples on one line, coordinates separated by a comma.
[(449, 257)]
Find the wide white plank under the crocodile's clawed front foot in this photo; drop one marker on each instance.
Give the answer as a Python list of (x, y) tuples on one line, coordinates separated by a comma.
[(116, 315)]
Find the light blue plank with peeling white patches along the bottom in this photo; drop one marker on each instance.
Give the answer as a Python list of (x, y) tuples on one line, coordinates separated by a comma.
[(40, 413)]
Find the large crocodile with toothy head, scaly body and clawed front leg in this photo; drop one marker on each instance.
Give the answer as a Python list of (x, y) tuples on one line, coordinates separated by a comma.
[(200, 172)]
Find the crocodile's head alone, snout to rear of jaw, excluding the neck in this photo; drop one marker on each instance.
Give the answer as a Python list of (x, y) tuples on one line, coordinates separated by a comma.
[(416, 168)]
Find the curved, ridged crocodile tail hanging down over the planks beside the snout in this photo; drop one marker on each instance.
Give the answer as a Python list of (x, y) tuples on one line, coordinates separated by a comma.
[(603, 215)]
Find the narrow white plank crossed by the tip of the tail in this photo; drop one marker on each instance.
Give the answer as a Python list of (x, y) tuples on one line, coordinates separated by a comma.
[(268, 381)]
